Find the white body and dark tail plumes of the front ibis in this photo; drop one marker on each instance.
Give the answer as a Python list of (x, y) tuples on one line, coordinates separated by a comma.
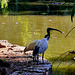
[(40, 47)]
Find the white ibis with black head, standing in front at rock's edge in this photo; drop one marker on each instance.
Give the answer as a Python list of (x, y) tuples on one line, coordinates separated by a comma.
[(42, 45)]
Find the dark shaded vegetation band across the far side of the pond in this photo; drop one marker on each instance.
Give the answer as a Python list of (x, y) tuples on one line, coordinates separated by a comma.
[(42, 7)]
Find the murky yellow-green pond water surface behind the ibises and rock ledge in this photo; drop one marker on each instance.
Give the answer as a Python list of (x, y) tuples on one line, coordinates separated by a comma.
[(22, 29)]
